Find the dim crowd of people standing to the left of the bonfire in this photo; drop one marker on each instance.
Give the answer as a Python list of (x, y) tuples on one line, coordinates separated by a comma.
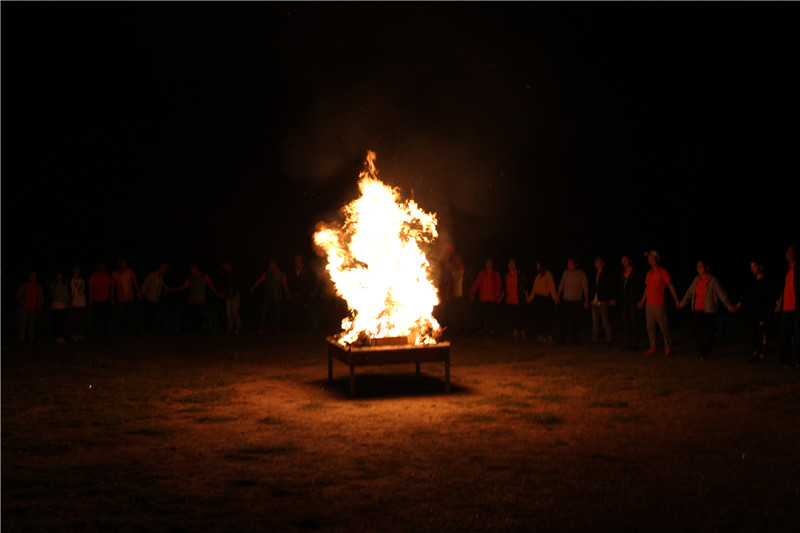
[(115, 303)]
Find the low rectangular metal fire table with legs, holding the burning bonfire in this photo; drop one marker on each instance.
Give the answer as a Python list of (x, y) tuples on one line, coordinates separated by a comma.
[(354, 356)]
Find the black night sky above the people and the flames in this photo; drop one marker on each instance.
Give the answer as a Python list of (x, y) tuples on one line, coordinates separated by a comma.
[(192, 131)]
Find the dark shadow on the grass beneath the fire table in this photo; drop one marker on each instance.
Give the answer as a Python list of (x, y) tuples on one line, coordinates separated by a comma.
[(372, 386)]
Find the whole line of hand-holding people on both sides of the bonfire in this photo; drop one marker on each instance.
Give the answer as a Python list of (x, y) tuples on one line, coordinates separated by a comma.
[(482, 303)]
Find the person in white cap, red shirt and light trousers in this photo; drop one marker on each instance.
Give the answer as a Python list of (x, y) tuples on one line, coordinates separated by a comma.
[(654, 302)]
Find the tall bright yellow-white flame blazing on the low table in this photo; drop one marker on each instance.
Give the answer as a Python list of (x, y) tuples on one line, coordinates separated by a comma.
[(377, 266)]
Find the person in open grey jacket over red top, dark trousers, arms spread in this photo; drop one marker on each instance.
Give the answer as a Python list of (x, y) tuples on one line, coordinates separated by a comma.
[(704, 294)]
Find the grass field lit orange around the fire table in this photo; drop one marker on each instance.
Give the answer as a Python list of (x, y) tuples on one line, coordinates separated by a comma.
[(215, 433)]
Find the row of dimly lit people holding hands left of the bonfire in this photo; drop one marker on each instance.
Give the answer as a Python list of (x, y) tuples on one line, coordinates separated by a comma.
[(121, 292)]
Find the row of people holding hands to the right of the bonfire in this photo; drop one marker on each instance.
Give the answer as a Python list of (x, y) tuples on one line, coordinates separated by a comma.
[(640, 296)]
